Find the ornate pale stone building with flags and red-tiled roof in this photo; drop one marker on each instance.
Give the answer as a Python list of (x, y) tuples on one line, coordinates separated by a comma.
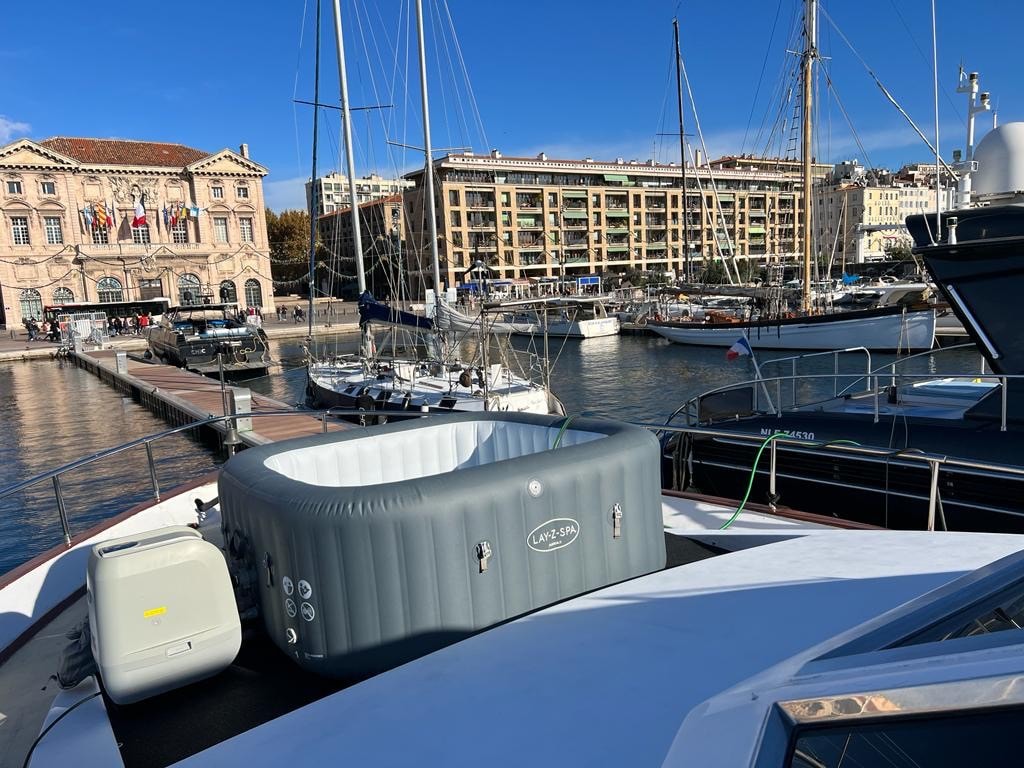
[(70, 230)]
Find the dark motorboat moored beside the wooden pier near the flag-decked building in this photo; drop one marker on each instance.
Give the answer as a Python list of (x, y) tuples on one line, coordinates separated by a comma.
[(210, 338)]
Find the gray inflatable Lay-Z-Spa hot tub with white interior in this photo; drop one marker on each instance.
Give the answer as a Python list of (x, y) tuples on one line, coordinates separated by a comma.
[(372, 547)]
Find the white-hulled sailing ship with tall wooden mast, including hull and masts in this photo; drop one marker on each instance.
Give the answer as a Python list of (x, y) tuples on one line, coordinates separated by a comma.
[(884, 329)]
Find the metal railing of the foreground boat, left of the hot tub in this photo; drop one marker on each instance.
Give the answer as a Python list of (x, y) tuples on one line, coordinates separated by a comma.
[(231, 442)]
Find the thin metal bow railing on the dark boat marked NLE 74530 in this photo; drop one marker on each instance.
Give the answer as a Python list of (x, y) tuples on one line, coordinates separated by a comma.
[(697, 412)]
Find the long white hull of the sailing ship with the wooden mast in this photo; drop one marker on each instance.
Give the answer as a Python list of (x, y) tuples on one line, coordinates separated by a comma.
[(914, 331)]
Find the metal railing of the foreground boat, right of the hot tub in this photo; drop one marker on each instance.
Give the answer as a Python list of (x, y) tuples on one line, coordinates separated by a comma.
[(782, 441)]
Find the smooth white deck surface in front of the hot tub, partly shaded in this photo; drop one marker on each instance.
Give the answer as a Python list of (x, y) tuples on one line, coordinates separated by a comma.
[(608, 679)]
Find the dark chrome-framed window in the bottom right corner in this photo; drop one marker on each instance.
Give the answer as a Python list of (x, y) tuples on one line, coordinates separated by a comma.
[(982, 738)]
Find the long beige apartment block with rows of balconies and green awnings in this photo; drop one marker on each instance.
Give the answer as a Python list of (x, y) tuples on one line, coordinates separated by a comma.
[(535, 218)]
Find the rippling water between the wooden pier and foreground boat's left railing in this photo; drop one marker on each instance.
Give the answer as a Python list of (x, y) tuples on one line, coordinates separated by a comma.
[(53, 414)]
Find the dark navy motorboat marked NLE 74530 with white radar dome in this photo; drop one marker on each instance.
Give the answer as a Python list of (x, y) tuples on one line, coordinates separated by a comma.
[(903, 445)]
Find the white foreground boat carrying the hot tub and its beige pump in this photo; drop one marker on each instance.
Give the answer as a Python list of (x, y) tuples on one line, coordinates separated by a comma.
[(569, 601)]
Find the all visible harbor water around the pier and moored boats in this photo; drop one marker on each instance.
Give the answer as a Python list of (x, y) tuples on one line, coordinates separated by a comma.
[(53, 413)]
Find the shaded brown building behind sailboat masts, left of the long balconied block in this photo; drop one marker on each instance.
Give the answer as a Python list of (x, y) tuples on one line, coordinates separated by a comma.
[(386, 259)]
